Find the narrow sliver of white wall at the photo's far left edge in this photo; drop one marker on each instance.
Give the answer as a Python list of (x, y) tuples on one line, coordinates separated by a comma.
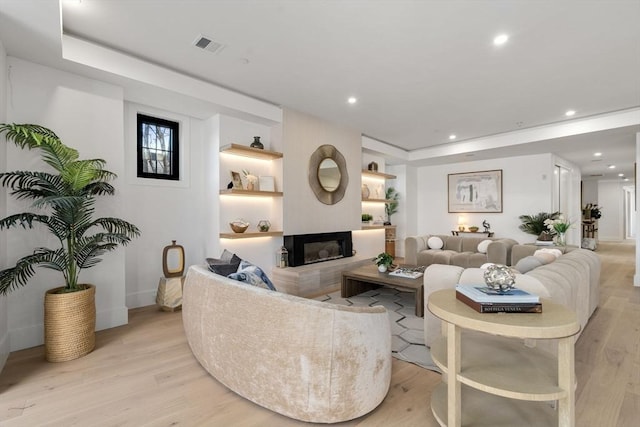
[(4, 318)]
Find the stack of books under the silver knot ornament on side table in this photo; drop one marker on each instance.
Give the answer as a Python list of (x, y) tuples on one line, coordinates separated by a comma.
[(486, 300)]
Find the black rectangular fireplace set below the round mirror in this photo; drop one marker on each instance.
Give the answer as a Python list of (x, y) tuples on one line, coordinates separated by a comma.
[(312, 248)]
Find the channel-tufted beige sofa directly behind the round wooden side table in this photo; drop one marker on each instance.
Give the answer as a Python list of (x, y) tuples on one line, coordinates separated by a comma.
[(571, 280)]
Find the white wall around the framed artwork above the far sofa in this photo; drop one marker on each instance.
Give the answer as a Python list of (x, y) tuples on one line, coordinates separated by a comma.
[(527, 189)]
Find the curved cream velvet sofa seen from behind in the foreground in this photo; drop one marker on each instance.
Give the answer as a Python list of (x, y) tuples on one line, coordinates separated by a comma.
[(308, 360)]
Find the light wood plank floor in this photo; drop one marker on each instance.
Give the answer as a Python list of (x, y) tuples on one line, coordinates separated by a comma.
[(143, 374)]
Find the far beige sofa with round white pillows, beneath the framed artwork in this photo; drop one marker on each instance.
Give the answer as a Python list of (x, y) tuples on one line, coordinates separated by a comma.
[(457, 250)]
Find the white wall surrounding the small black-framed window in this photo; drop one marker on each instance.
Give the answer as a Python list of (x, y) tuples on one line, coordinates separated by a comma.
[(163, 210)]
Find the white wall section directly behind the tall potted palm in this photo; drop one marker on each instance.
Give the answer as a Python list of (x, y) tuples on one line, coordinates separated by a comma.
[(87, 115)]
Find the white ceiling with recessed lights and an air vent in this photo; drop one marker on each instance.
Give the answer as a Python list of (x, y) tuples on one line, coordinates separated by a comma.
[(421, 70)]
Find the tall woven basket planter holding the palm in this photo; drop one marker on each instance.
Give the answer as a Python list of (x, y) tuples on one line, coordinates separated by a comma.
[(69, 324)]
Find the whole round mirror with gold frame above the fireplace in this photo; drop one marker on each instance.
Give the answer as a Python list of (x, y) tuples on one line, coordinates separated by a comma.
[(328, 176)]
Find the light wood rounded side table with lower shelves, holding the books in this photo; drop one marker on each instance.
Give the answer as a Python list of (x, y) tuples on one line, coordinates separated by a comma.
[(501, 381)]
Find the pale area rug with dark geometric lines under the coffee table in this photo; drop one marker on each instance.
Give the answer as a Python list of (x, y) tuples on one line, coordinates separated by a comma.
[(407, 330)]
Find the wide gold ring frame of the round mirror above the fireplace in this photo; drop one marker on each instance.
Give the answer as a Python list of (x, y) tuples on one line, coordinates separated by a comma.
[(322, 153)]
